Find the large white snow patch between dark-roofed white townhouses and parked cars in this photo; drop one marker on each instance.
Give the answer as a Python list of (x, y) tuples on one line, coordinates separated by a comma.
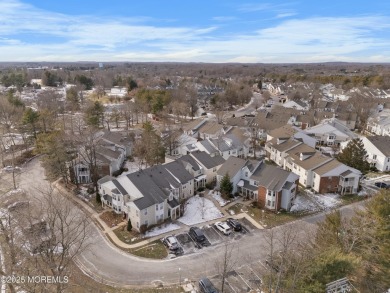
[(199, 210)]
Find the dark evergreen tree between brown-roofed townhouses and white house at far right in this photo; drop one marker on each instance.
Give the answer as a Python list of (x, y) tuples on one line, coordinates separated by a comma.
[(354, 155)]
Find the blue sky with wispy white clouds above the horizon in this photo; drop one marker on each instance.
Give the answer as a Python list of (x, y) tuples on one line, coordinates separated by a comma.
[(195, 31)]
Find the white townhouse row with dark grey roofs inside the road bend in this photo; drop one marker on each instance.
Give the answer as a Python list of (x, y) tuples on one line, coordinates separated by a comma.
[(153, 195)]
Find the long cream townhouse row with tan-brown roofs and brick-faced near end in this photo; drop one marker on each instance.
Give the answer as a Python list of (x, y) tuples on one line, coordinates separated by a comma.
[(315, 170)]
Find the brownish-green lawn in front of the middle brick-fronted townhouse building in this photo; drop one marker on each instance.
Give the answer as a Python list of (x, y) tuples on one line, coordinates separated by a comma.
[(271, 219)]
